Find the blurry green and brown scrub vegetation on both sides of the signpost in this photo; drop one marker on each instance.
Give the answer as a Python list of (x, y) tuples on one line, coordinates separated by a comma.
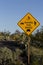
[(17, 55)]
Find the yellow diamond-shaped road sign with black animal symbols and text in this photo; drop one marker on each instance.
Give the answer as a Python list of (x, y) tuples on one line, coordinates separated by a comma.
[(28, 23)]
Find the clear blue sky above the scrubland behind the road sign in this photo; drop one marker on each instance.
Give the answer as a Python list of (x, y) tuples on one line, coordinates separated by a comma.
[(11, 11)]
